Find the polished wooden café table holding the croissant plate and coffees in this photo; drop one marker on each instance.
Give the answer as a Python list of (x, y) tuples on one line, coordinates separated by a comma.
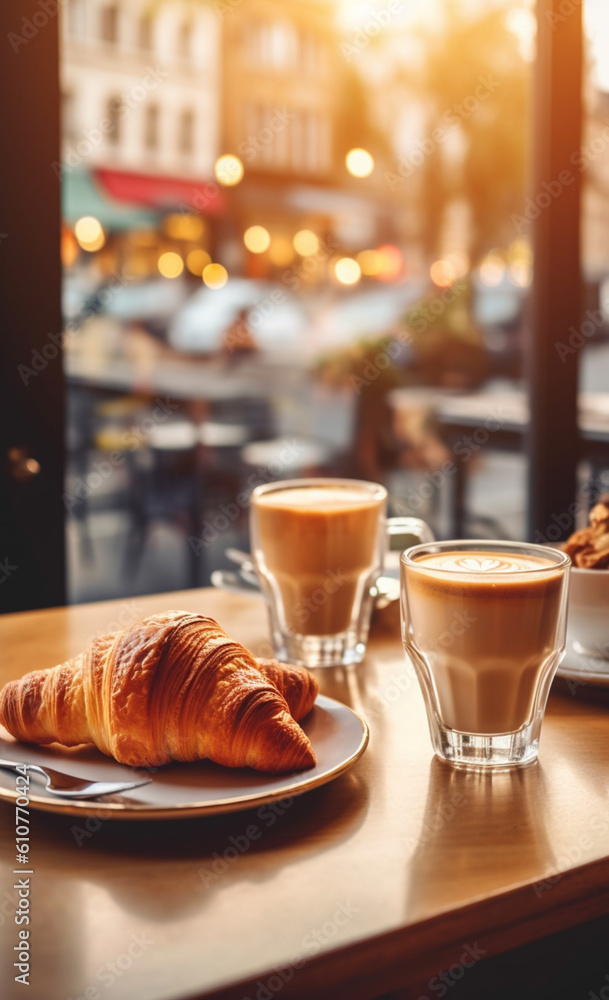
[(399, 869)]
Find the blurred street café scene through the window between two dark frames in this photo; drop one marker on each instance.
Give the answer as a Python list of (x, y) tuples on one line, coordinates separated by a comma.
[(323, 269)]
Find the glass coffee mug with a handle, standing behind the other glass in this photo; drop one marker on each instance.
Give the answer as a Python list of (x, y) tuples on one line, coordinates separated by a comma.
[(318, 546)]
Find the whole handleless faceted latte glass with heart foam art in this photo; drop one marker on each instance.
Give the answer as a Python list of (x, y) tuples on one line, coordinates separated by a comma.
[(484, 625)]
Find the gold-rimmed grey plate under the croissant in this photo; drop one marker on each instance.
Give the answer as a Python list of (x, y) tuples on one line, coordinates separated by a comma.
[(177, 791)]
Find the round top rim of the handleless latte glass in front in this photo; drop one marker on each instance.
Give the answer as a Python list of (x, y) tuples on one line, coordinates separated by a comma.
[(560, 559)]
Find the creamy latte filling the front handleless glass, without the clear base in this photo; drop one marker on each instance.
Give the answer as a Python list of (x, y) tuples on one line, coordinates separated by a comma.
[(483, 626)]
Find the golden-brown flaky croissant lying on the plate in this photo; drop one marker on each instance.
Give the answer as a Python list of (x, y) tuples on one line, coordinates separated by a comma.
[(171, 687)]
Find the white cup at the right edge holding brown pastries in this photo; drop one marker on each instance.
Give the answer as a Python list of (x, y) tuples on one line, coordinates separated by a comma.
[(588, 622)]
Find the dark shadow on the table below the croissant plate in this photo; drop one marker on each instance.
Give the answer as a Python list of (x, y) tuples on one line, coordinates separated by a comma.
[(166, 869)]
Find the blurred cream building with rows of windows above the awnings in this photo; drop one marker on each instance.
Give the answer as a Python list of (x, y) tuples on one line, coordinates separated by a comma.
[(140, 86)]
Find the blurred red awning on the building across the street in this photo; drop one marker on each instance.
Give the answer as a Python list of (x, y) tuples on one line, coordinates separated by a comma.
[(169, 193)]
